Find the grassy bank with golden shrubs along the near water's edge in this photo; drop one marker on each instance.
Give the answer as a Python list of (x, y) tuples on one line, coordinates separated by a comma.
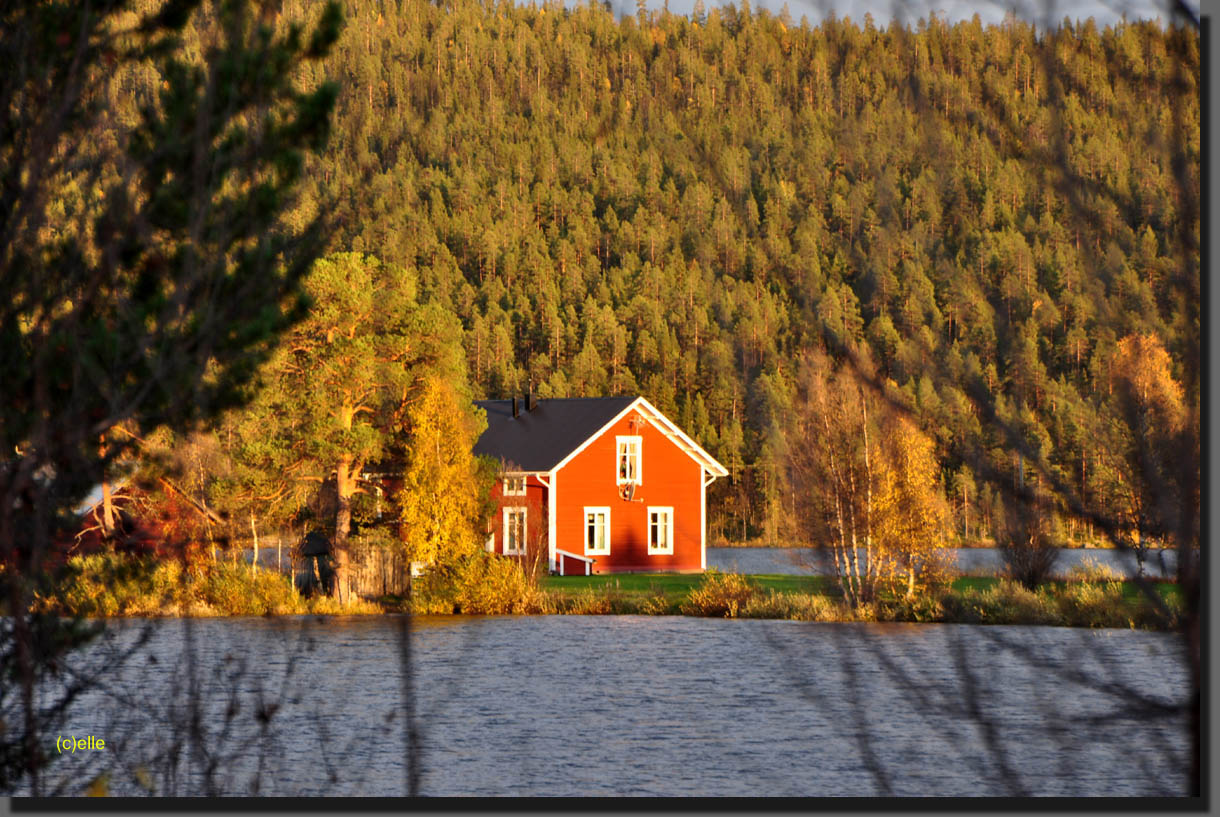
[(109, 586)]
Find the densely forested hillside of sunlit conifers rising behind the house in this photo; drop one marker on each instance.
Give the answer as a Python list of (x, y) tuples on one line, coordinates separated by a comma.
[(685, 207)]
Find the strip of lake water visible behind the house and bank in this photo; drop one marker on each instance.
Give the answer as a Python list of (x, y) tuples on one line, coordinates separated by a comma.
[(971, 562)]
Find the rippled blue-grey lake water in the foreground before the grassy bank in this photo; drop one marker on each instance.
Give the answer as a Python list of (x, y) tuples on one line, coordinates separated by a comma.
[(630, 705)]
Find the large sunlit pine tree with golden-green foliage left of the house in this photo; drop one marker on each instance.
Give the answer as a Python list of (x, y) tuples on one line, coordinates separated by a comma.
[(369, 369)]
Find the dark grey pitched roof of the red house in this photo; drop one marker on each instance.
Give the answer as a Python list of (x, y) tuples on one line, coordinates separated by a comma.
[(540, 440)]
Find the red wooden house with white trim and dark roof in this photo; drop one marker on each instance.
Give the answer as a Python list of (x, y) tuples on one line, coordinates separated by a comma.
[(603, 485)]
